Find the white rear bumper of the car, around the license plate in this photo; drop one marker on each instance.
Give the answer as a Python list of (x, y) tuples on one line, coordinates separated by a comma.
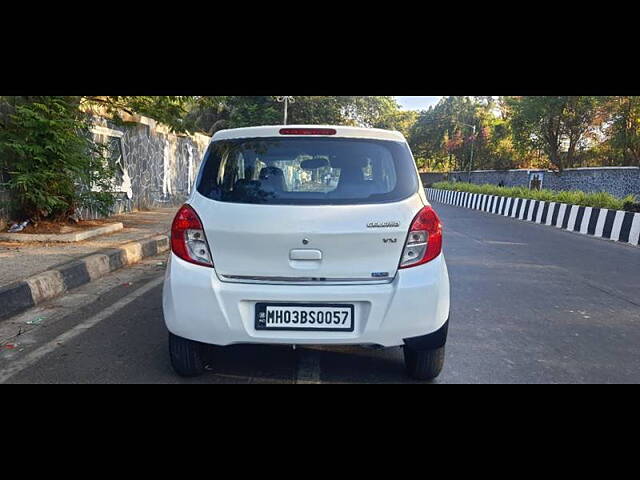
[(198, 306)]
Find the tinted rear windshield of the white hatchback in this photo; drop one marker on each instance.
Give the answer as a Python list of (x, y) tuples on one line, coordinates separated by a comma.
[(307, 171)]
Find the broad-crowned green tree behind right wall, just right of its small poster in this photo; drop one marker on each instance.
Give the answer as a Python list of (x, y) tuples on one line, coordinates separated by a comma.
[(559, 125)]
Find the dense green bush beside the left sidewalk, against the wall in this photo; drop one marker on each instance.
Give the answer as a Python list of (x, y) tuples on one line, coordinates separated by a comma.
[(52, 164)]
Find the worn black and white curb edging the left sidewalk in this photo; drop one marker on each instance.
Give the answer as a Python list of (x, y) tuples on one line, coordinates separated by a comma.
[(21, 295)]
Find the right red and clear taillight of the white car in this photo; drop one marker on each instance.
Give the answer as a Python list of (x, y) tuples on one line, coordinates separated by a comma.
[(424, 242)]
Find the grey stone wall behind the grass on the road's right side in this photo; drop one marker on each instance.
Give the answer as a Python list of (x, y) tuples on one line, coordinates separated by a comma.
[(618, 181)]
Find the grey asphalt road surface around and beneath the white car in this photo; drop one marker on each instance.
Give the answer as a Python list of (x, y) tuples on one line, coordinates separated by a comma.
[(530, 304)]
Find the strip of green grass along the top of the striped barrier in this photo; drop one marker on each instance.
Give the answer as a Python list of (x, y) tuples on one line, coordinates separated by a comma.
[(574, 197)]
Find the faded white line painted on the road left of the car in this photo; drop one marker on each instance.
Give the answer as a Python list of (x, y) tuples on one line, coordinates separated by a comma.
[(20, 364)]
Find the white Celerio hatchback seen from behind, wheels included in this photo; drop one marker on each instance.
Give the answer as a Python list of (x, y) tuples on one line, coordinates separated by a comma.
[(307, 235)]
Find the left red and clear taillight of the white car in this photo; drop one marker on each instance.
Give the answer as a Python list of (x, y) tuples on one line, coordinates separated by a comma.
[(187, 238)]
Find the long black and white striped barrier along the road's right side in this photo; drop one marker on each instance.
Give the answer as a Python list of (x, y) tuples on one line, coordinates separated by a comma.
[(614, 225)]
